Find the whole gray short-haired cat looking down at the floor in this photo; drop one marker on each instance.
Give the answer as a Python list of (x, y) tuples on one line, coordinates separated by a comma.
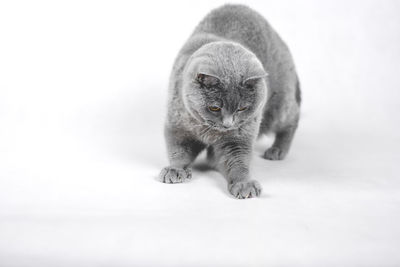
[(233, 80)]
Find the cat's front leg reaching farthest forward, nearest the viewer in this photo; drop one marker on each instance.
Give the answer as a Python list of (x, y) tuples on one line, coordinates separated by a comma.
[(233, 158)]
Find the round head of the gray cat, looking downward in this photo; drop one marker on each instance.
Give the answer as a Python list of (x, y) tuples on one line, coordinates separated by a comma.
[(224, 85)]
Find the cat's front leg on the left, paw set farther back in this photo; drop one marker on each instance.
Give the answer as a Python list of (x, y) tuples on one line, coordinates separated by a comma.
[(182, 151)]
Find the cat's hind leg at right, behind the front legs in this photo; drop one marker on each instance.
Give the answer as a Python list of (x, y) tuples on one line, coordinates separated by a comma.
[(281, 145)]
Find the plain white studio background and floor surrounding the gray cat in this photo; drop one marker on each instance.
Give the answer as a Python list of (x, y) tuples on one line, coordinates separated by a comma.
[(82, 103)]
